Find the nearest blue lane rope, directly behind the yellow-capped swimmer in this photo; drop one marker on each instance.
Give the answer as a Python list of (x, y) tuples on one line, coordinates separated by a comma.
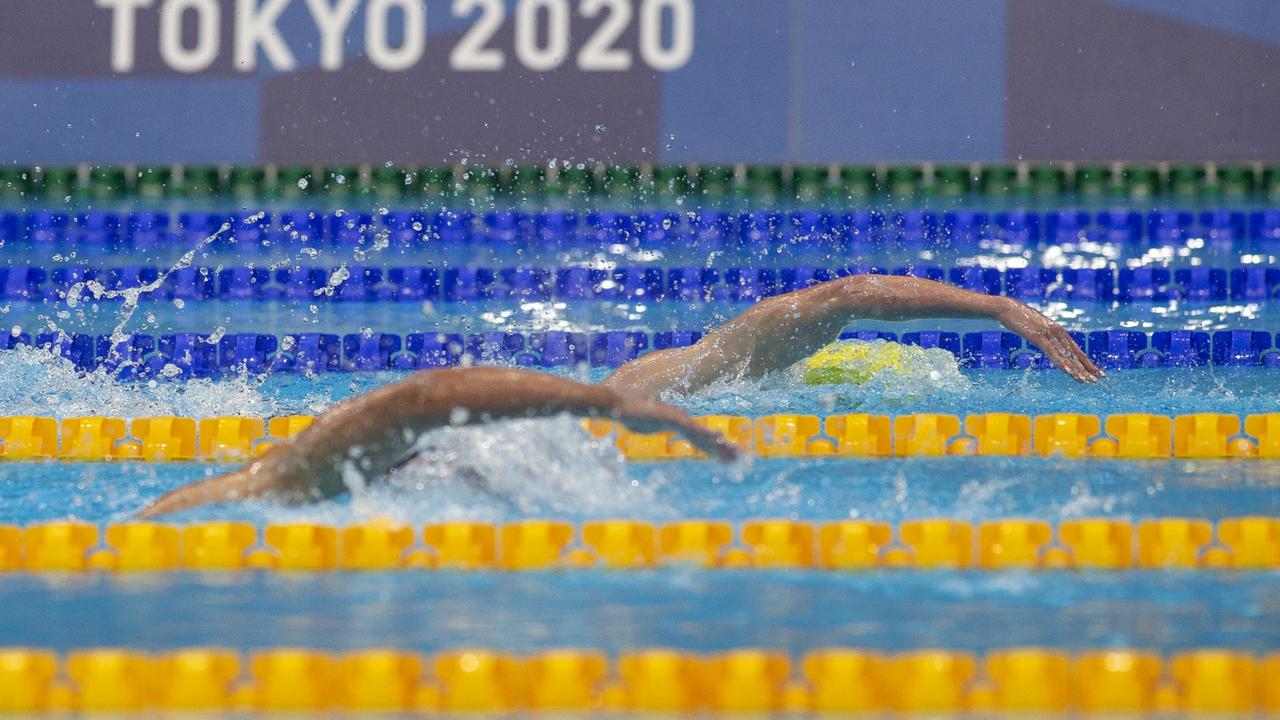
[(200, 356)]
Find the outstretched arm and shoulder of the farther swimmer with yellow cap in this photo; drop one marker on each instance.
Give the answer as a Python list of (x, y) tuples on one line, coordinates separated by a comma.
[(785, 330)]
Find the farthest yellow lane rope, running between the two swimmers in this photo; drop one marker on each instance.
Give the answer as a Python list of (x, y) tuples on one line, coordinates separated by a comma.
[(1123, 436)]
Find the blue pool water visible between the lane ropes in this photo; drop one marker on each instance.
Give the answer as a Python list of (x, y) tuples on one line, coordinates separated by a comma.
[(555, 470)]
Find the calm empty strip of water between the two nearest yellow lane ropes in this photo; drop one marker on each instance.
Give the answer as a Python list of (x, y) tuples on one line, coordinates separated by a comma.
[(685, 609)]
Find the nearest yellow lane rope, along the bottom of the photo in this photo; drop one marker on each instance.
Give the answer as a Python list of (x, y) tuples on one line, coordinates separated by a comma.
[(836, 680)]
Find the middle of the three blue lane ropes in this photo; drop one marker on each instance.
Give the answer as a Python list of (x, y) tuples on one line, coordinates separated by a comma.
[(362, 284)]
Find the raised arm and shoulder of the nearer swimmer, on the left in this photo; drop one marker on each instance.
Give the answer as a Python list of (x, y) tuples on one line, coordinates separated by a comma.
[(373, 432)]
